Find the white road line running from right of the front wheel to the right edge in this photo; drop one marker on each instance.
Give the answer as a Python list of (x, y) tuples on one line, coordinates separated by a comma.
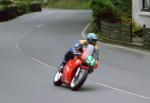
[(123, 91)]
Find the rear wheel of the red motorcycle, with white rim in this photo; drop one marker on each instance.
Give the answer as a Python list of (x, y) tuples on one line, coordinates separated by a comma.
[(57, 79)]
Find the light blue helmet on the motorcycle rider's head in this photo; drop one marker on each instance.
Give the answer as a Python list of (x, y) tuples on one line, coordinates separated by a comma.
[(91, 38)]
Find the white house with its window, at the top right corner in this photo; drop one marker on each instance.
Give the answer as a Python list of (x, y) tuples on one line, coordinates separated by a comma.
[(141, 12)]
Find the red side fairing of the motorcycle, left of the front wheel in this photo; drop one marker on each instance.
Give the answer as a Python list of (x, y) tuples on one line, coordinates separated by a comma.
[(69, 70)]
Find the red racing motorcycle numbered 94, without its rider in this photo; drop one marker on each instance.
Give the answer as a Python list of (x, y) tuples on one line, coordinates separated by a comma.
[(76, 70)]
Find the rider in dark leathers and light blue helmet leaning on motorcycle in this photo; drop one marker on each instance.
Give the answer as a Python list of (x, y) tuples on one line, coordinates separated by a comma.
[(76, 49)]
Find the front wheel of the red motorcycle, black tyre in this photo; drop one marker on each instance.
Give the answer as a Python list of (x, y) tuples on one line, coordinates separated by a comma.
[(78, 79)]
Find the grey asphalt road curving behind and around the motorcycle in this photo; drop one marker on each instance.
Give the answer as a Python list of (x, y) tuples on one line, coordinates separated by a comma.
[(32, 46)]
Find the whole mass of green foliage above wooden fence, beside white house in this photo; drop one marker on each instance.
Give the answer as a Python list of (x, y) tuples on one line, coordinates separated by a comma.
[(111, 11)]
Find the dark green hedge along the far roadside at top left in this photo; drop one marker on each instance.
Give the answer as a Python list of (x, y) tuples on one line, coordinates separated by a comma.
[(16, 9)]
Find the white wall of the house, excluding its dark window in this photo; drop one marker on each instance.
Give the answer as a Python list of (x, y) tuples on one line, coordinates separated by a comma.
[(140, 17)]
